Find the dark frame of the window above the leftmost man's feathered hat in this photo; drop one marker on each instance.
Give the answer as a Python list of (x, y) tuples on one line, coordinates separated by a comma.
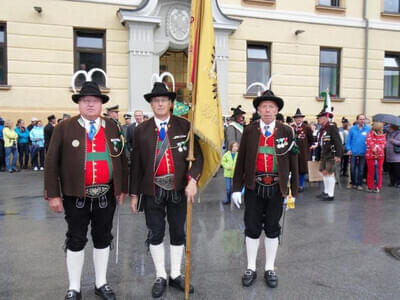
[(77, 49)]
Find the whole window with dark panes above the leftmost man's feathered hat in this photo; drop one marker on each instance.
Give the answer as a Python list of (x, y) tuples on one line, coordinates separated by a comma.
[(90, 52)]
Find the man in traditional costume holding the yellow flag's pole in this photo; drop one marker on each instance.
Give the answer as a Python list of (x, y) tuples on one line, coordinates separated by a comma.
[(160, 177)]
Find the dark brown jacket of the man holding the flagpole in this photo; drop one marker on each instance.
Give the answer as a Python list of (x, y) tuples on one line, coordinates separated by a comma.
[(143, 156)]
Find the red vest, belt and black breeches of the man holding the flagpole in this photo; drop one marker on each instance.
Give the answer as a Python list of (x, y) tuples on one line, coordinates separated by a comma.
[(167, 202)]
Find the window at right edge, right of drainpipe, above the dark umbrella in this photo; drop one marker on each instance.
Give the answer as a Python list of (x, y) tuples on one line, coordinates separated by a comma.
[(392, 72)]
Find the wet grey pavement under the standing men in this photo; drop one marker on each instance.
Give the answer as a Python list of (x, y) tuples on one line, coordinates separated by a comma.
[(330, 250)]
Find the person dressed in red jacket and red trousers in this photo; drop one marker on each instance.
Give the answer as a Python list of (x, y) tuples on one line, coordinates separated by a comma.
[(375, 155)]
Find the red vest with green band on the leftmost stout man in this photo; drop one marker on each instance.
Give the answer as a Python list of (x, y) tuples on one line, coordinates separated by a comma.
[(98, 161)]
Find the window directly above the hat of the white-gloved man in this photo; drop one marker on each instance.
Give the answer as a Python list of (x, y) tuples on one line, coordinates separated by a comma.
[(258, 65)]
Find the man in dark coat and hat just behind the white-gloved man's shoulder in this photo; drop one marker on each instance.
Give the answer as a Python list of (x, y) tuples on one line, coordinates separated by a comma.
[(304, 139)]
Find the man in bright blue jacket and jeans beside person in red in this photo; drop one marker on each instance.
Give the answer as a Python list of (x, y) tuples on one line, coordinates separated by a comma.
[(356, 148)]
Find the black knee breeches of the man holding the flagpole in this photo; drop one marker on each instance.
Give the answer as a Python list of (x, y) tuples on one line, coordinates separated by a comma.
[(155, 212)]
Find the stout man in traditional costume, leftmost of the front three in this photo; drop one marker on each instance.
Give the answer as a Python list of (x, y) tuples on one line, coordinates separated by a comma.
[(85, 175)]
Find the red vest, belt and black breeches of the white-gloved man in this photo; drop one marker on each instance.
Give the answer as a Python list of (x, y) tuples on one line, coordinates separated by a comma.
[(263, 205)]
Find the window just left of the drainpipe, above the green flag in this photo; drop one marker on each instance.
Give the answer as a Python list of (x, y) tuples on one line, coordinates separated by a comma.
[(329, 71)]
